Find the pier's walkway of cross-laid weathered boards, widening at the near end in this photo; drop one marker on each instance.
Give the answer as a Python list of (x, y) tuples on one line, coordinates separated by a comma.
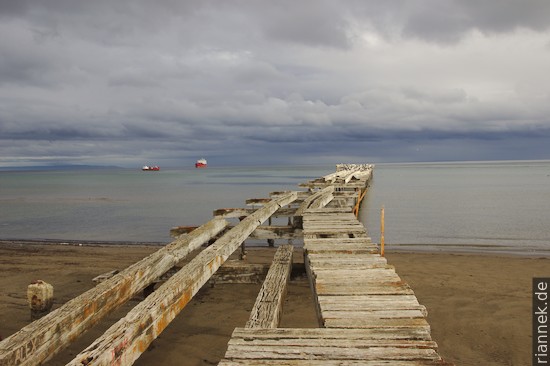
[(367, 314)]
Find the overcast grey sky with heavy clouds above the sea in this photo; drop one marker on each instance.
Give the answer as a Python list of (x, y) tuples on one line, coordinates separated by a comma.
[(133, 82)]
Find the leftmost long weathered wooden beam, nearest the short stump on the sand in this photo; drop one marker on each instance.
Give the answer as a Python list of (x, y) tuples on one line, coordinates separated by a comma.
[(43, 338)]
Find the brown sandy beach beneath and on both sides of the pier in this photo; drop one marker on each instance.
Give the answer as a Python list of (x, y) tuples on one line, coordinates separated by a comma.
[(479, 306)]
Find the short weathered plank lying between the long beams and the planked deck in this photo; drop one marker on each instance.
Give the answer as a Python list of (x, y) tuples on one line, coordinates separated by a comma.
[(268, 308)]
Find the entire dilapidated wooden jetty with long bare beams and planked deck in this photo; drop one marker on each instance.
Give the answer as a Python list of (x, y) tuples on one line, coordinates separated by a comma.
[(367, 315)]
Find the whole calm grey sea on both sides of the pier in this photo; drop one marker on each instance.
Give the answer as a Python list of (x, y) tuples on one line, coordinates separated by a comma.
[(481, 206)]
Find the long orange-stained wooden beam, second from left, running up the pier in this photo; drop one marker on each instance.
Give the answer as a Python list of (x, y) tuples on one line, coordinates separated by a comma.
[(124, 342)]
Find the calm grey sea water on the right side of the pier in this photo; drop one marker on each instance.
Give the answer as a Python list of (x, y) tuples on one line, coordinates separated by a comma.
[(462, 206)]
